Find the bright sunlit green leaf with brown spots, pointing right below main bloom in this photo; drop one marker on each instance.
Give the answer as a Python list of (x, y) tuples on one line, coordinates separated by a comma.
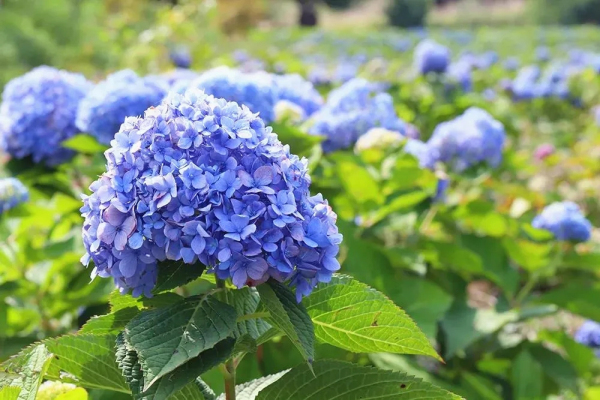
[(355, 317)]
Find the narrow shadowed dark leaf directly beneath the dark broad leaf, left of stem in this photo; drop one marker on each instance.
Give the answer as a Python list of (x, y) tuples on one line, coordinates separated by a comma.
[(178, 379)]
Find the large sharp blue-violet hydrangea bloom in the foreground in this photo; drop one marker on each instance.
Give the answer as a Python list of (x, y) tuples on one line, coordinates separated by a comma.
[(201, 179)]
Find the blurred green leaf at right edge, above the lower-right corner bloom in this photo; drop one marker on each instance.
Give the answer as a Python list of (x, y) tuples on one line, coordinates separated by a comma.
[(576, 296)]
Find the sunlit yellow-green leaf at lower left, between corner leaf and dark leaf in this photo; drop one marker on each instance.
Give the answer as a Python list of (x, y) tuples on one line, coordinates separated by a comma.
[(87, 361)]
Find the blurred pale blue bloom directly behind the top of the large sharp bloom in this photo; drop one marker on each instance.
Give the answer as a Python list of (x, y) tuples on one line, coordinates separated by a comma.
[(255, 90)]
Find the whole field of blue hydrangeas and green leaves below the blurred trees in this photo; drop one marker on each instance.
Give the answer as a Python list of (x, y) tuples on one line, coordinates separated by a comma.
[(306, 215)]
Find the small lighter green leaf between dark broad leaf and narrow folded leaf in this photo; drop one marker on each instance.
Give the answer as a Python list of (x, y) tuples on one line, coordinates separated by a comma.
[(246, 301)]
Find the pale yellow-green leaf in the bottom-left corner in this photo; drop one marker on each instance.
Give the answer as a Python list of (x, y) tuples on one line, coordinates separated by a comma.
[(26, 372)]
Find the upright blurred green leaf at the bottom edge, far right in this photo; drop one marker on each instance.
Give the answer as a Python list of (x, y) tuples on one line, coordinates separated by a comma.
[(527, 378)]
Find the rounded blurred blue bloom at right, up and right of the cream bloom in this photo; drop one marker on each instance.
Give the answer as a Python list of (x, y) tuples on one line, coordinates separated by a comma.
[(468, 140)]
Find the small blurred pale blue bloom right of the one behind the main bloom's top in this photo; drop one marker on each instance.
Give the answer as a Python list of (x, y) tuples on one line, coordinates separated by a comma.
[(297, 90)]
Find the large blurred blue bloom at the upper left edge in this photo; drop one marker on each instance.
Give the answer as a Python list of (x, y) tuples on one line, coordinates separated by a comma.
[(38, 113)]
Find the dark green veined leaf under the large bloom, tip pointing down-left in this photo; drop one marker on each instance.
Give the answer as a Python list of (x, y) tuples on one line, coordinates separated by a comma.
[(168, 337)]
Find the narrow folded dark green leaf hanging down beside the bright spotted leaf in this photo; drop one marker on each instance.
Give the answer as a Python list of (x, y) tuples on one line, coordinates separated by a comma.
[(289, 316)]
